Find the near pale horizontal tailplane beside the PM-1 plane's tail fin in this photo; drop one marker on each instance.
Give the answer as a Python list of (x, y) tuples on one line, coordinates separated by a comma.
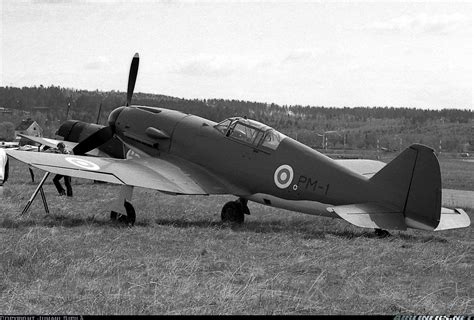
[(371, 215)]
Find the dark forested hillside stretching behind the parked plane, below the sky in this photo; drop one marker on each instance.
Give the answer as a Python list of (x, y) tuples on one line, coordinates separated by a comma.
[(364, 127)]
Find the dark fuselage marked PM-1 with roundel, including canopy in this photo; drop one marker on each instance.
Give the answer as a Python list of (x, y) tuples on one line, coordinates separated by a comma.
[(268, 167)]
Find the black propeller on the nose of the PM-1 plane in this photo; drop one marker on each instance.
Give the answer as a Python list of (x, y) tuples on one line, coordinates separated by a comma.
[(103, 135)]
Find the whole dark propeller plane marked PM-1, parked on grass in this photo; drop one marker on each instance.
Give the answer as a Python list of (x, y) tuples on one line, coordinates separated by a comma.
[(183, 154)]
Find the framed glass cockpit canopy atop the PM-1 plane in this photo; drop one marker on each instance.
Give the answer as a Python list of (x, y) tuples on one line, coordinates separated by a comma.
[(250, 132)]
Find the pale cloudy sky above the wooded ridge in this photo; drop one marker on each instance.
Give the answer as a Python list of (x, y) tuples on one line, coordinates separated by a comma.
[(318, 53)]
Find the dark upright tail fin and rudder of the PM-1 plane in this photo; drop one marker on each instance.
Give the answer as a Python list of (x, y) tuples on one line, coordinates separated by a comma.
[(412, 183)]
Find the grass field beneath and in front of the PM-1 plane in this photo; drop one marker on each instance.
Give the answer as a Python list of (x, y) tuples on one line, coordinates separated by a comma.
[(180, 259)]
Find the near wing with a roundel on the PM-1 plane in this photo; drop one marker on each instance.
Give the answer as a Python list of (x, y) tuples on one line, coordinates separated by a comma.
[(153, 173)]
